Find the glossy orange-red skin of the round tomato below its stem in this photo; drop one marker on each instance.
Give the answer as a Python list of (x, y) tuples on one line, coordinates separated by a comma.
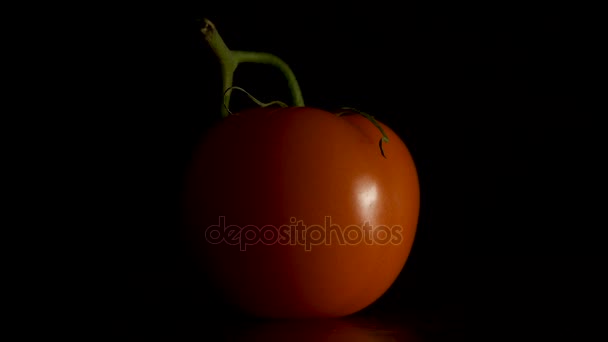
[(265, 166)]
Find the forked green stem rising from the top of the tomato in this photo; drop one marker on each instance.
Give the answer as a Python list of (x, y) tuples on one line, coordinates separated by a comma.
[(229, 60)]
